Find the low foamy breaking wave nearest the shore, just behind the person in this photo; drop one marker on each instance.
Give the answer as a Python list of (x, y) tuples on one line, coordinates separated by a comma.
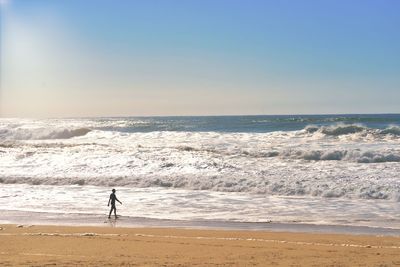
[(327, 187)]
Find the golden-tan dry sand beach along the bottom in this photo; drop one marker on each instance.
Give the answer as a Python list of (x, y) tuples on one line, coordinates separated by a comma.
[(105, 246)]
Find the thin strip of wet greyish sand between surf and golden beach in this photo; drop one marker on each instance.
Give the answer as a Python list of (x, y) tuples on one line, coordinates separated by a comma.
[(87, 220)]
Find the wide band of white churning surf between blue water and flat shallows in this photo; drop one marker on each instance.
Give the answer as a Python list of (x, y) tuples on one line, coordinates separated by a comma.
[(339, 161)]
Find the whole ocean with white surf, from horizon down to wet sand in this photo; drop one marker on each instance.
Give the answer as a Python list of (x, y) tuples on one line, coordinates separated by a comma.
[(291, 169)]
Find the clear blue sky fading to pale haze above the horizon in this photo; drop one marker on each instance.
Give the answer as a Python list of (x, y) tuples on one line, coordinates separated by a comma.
[(198, 57)]
